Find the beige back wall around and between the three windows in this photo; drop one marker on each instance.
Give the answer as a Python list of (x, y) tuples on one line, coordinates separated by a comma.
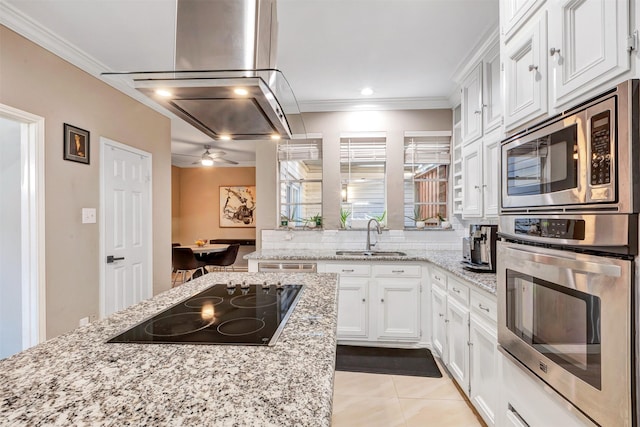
[(331, 125)]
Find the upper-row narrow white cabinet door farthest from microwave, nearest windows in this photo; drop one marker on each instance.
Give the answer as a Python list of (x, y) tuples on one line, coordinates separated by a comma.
[(471, 98)]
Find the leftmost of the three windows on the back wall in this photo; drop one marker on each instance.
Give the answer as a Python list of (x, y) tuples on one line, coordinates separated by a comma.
[(300, 179)]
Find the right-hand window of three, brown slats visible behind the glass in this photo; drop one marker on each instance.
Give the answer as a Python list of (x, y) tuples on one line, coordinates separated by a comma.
[(426, 173)]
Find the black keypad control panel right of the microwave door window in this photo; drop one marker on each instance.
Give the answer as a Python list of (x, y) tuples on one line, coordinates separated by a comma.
[(601, 148)]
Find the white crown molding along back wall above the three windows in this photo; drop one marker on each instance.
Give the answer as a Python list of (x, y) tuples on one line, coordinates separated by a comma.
[(374, 104)]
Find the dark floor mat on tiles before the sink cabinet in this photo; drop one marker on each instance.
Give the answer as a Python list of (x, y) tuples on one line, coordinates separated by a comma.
[(394, 361)]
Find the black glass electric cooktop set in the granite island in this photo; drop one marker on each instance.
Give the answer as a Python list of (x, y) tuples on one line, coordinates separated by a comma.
[(234, 314)]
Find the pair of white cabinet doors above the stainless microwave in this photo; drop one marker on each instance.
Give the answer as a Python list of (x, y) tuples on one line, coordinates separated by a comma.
[(557, 53)]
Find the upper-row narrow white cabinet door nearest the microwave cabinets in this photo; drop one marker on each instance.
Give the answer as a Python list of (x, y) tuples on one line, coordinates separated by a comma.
[(491, 90)]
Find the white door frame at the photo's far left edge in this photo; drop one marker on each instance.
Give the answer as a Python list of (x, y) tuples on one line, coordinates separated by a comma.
[(33, 269)]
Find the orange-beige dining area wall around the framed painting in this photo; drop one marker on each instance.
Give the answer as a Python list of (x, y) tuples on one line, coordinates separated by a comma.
[(199, 202)]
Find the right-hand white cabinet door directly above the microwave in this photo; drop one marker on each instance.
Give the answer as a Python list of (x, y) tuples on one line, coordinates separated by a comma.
[(587, 45)]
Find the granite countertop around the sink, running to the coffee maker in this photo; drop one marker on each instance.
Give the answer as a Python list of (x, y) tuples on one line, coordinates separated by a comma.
[(447, 259)]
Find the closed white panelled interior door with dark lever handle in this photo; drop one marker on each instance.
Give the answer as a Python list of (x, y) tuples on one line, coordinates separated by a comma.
[(126, 217)]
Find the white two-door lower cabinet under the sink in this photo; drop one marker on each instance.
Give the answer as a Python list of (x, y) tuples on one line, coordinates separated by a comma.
[(378, 302)]
